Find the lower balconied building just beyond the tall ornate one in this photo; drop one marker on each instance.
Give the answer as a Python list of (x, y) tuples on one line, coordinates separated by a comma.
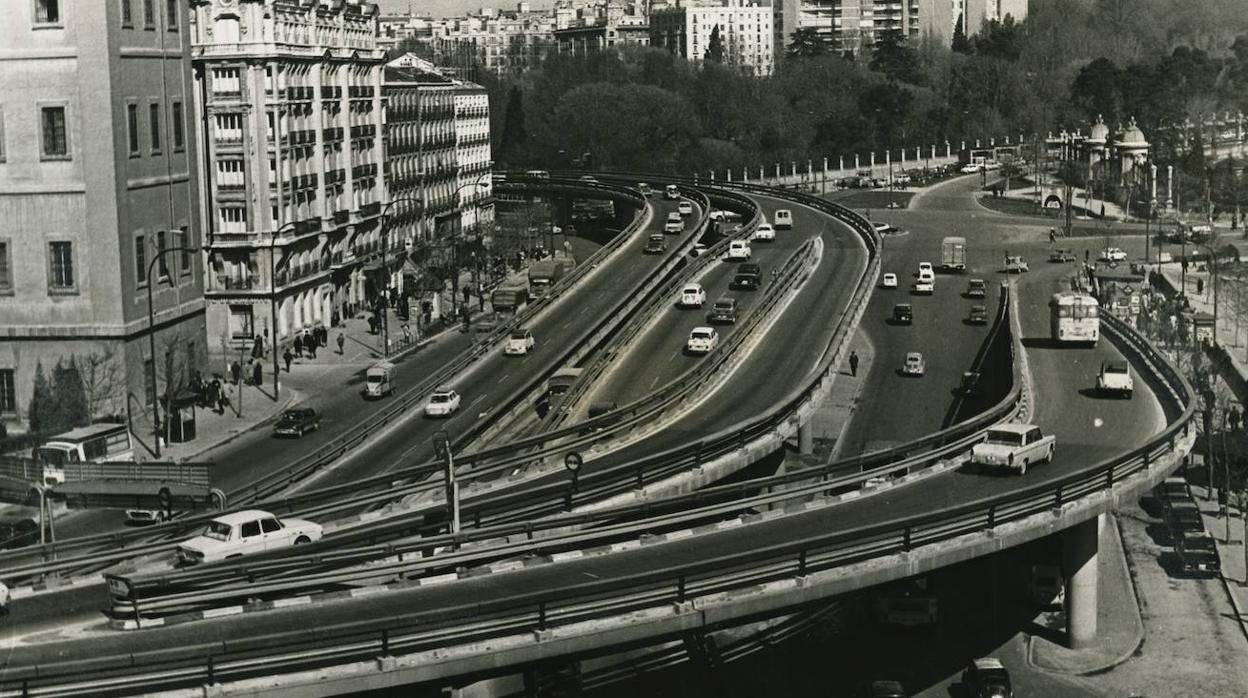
[(437, 154)]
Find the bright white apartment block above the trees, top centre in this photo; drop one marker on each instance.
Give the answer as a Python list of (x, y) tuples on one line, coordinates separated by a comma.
[(744, 29)]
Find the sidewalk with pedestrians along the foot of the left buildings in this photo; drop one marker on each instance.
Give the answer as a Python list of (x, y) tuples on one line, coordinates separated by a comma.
[(309, 378)]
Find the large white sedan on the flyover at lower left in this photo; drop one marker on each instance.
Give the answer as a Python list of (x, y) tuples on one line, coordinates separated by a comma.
[(246, 533)]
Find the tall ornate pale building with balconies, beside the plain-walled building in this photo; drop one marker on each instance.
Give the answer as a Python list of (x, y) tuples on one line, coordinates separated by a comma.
[(290, 103)]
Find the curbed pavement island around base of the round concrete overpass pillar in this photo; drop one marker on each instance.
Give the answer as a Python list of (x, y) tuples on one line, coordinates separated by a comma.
[(1120, 626)]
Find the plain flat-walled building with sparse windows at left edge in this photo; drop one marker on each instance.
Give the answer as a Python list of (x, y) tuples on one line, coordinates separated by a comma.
[(98, 182)]
